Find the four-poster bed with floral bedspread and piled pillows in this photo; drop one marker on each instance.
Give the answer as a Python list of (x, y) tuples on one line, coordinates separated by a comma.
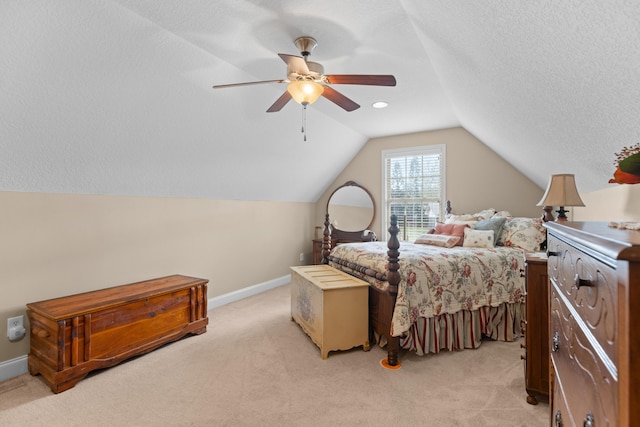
[(435, 294)]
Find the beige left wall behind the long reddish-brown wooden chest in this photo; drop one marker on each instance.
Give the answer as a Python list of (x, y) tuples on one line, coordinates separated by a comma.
[(54, 245)]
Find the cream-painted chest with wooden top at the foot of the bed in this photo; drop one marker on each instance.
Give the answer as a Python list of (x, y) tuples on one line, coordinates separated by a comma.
[(331, 307)]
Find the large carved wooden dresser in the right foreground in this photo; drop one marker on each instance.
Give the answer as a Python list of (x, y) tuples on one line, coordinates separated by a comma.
[(594, 313)]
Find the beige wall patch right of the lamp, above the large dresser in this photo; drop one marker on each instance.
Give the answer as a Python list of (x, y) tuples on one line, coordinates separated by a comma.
[(616, 203)]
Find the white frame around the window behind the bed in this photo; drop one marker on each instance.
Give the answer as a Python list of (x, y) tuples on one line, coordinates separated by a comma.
[(436, 149)]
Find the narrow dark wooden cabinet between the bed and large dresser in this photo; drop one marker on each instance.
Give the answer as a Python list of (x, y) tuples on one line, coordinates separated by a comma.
[(536, 329)]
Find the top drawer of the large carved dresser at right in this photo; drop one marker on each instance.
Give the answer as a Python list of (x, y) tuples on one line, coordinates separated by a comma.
[(590, 287)]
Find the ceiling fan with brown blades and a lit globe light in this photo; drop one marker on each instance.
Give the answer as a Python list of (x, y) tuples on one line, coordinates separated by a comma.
[(307, 81)]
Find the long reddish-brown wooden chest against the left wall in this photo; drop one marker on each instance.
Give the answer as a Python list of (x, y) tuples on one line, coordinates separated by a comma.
[(74, 335)]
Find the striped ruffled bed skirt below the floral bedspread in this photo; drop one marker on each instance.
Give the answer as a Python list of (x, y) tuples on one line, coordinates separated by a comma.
[(461, 330)]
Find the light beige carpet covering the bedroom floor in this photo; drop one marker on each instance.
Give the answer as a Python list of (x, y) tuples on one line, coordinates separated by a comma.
[(254, 366)]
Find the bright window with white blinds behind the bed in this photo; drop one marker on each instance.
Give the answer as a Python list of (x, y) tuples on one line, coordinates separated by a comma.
[(413, 189)]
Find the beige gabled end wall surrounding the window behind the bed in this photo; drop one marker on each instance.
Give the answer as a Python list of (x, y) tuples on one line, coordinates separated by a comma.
[(477, 178)]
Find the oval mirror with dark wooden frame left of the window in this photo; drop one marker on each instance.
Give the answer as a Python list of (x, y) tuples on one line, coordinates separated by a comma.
[(351, 210)]
